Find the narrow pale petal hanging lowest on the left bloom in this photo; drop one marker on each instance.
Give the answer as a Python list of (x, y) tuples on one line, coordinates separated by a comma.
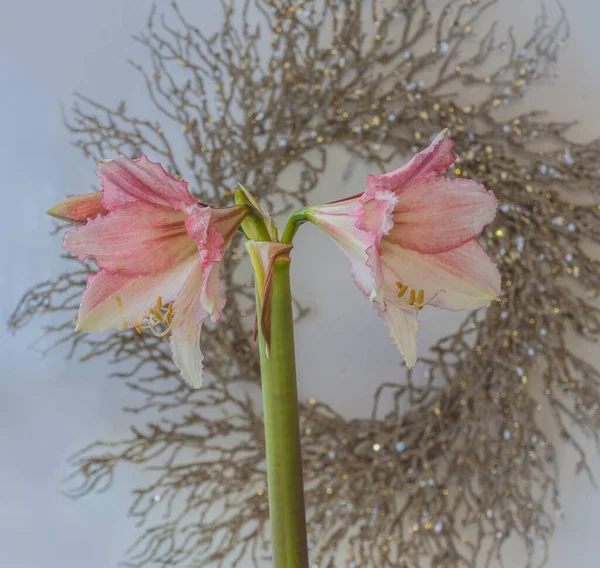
[(189, 313)]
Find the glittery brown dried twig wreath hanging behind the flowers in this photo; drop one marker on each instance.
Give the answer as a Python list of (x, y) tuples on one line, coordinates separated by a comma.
[(468, 466)]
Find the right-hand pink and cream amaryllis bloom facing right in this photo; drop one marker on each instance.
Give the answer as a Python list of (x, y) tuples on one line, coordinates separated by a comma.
[(411, 241)]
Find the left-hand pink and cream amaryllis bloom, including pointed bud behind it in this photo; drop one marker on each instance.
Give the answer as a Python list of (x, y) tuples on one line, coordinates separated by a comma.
[(158, 252)]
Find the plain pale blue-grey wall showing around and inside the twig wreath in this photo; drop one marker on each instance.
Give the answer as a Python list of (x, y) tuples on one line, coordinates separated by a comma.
[(51, 407)]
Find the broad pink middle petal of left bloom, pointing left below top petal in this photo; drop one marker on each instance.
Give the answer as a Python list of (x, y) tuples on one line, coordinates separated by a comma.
[(137, 238)]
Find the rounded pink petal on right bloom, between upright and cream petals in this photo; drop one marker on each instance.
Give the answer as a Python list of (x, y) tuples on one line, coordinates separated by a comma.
[(434, 215)]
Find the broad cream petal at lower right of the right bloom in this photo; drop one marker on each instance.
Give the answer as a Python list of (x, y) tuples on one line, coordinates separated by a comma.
[(461, 279)]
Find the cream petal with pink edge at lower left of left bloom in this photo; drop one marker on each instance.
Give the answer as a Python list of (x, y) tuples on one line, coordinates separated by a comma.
[(116, 301)]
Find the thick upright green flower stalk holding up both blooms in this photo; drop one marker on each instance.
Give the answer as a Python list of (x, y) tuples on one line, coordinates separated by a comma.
[(282, 431)]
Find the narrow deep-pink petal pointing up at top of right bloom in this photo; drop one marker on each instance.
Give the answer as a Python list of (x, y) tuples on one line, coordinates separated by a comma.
[(435, 159)]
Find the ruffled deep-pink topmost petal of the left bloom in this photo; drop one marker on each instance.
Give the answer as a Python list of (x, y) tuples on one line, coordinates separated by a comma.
[(125, 180)]
